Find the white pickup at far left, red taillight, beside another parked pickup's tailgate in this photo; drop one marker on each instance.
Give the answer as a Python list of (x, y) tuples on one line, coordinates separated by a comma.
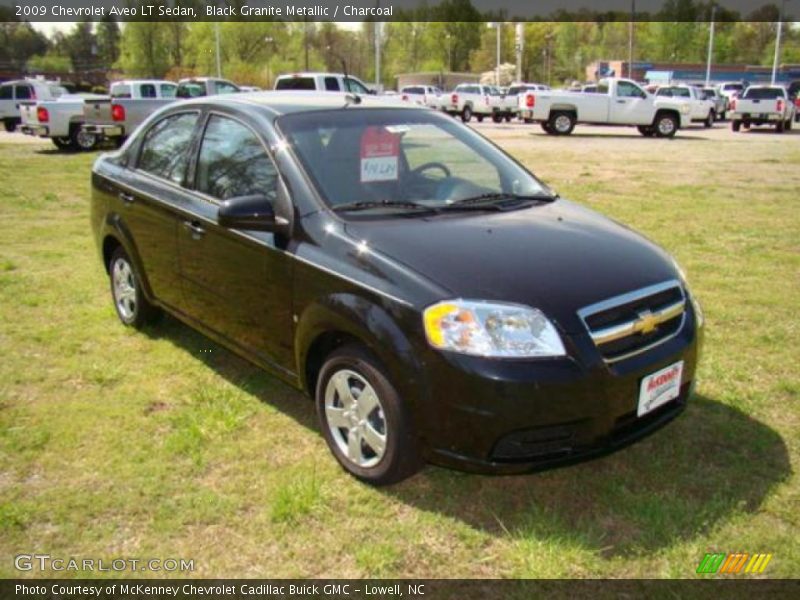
[(60, 120)]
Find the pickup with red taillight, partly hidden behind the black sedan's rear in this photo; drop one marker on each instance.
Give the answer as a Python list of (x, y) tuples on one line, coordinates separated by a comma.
[(129, 103)]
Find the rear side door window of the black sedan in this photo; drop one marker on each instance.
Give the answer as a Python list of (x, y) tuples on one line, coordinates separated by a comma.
[(165, 150)]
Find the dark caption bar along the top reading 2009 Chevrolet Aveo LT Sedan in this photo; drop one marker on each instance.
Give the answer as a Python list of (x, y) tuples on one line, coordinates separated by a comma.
[(396, 10)]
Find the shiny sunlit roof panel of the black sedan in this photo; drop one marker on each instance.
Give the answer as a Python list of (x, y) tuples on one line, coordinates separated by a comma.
[(286, 102)]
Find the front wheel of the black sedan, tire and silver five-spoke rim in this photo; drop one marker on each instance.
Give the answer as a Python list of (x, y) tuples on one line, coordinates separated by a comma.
[(363, 419)]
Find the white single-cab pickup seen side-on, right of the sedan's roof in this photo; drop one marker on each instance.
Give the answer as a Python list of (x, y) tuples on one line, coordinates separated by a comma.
[(617, 102)]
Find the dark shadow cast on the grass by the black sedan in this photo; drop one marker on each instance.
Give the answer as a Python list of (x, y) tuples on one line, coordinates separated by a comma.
[(712, 461)]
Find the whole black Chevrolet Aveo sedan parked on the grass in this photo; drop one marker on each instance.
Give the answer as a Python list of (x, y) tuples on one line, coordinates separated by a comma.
[(437, 300)]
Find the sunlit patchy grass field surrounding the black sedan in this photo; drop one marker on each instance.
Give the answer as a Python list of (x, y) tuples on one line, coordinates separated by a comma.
[(115, 443)]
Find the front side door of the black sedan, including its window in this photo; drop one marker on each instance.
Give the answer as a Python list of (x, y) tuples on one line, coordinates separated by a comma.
[(237, 283)]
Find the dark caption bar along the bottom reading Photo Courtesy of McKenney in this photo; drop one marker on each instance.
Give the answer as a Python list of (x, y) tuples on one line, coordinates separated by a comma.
[(419, 589)]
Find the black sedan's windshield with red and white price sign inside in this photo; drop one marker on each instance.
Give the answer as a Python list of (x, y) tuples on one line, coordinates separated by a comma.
[(393, 159)]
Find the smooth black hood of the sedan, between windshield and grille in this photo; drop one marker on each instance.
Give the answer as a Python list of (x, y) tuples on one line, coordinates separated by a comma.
[(558, 257)]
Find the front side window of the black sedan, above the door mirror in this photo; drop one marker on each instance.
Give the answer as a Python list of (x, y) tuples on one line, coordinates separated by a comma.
[(234, 163)]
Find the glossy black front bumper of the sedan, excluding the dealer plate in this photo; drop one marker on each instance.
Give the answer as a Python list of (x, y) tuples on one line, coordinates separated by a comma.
[(505, 416)]
